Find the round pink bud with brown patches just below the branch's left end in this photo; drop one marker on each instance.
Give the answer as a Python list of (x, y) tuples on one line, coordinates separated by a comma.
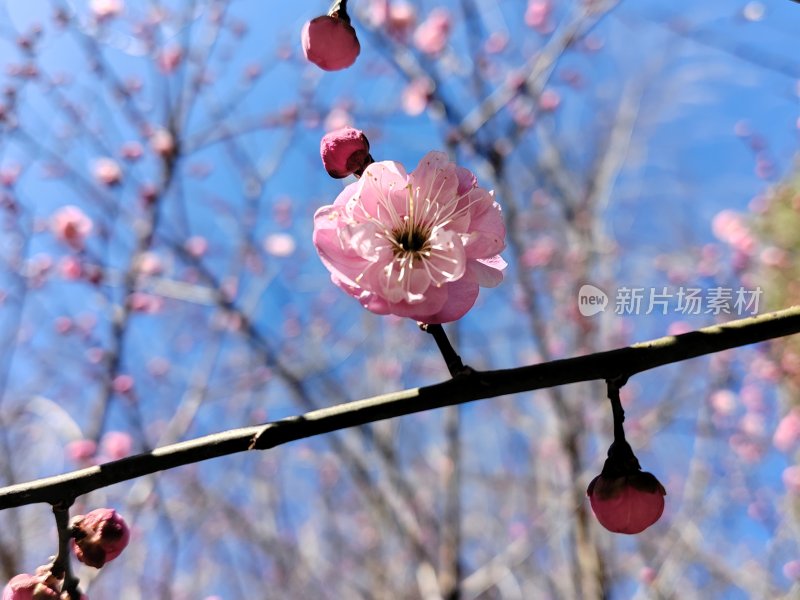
[(100, 536)]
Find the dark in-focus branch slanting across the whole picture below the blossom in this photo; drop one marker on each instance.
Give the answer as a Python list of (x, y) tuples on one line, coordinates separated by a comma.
[(466, 387)]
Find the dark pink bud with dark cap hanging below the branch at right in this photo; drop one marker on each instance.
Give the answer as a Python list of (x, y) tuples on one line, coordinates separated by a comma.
[(624, 498)]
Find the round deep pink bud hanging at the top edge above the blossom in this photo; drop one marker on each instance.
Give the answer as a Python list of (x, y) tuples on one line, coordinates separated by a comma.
[(330, 43)]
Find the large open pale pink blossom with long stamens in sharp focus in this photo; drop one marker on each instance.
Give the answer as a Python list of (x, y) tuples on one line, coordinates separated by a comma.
[(415, 245)]
